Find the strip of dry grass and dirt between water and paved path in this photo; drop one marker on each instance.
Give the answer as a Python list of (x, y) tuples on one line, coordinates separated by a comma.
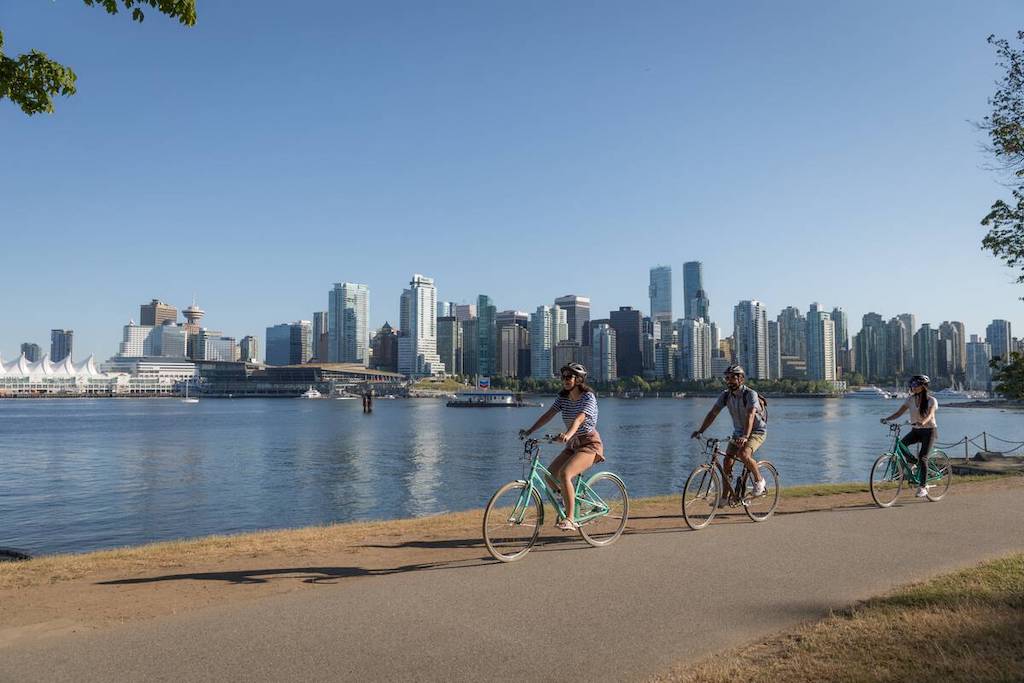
[(57, 595)]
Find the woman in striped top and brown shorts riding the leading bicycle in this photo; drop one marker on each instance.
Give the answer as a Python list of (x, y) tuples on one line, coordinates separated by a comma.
[(578, 404)]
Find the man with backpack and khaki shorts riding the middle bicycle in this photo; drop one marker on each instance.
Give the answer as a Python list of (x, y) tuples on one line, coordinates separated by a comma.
[(749, 428)]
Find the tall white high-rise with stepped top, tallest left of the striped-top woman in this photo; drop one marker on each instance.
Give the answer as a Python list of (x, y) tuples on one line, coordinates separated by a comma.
[(418, 341)]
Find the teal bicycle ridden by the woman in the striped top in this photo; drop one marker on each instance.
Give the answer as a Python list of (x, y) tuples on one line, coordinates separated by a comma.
[(515, 515)]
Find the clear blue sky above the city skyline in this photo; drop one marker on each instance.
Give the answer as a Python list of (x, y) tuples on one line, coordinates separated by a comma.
[(803, 151)]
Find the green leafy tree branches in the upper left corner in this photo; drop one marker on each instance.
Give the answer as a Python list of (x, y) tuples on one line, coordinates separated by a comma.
[(32, 80)]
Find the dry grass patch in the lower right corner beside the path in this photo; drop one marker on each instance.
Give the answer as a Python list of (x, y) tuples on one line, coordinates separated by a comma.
[(965, 626)]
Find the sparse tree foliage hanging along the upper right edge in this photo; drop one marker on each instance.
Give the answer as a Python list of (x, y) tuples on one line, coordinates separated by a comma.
[(1005, 127)]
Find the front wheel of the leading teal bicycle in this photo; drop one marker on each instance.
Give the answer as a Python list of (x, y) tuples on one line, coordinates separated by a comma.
[(511, 524)]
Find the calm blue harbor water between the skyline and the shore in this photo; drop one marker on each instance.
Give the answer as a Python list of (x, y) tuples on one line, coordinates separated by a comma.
[(79, 476)]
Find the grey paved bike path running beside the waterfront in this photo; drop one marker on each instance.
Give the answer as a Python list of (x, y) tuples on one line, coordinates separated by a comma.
[(632, 610)]
